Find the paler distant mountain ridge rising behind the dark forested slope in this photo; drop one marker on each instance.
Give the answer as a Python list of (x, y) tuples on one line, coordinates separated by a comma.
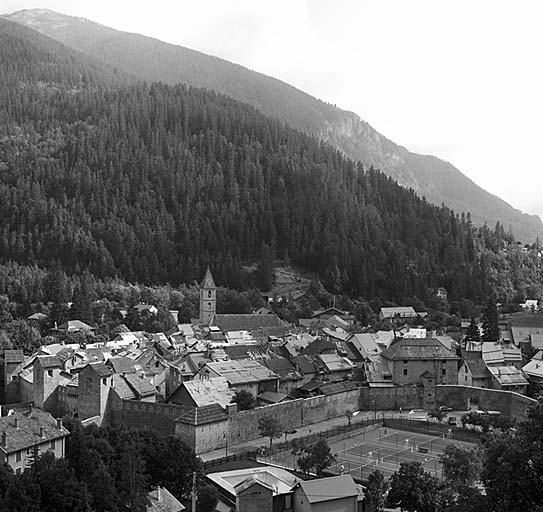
[(152, 60)]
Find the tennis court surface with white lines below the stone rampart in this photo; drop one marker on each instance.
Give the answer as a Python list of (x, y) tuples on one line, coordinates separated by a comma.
[(385, 449)]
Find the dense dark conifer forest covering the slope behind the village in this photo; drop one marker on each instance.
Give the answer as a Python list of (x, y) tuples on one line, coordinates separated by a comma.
[(153, 182)]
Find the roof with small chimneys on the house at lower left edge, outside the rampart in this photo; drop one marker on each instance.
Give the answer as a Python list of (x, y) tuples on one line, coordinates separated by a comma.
[(28, 433)]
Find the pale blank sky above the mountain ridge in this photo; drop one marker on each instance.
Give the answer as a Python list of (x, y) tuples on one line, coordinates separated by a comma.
[(460, 79)]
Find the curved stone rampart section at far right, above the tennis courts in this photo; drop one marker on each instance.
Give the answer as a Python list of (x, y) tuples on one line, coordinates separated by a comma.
[(511, 405)]
